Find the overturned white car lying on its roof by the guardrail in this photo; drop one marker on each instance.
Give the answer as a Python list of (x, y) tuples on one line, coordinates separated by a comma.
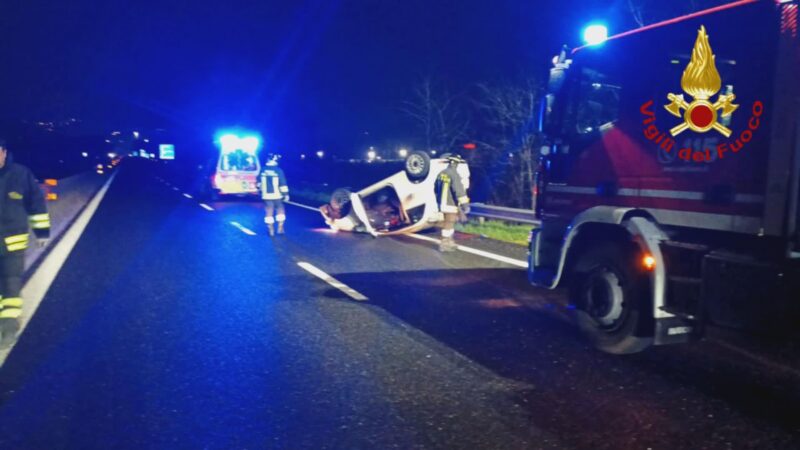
[(405, 202)]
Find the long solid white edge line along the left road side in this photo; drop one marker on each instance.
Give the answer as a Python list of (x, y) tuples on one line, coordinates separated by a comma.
[(37, 286)]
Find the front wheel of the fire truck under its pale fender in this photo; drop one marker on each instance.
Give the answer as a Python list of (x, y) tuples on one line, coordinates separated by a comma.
[(610, 297)]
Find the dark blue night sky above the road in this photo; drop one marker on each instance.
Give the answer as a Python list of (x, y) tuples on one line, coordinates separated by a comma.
[(307, 74)]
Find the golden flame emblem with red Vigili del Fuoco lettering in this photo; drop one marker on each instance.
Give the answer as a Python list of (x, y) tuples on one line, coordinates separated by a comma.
[(701, 81)]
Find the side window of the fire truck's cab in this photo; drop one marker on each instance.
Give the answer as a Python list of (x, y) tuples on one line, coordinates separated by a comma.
[(598, 102)]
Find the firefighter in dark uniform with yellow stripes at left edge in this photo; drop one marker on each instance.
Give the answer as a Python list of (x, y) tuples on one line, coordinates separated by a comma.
[(21, 203)]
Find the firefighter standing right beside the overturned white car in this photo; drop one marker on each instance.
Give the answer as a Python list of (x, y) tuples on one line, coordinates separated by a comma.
[(451, 192)]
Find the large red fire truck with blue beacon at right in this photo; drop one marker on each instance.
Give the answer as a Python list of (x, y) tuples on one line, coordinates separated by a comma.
[(669, 183)]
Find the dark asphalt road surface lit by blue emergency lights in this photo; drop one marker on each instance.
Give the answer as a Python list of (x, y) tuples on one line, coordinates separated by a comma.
[(169, 327)]
